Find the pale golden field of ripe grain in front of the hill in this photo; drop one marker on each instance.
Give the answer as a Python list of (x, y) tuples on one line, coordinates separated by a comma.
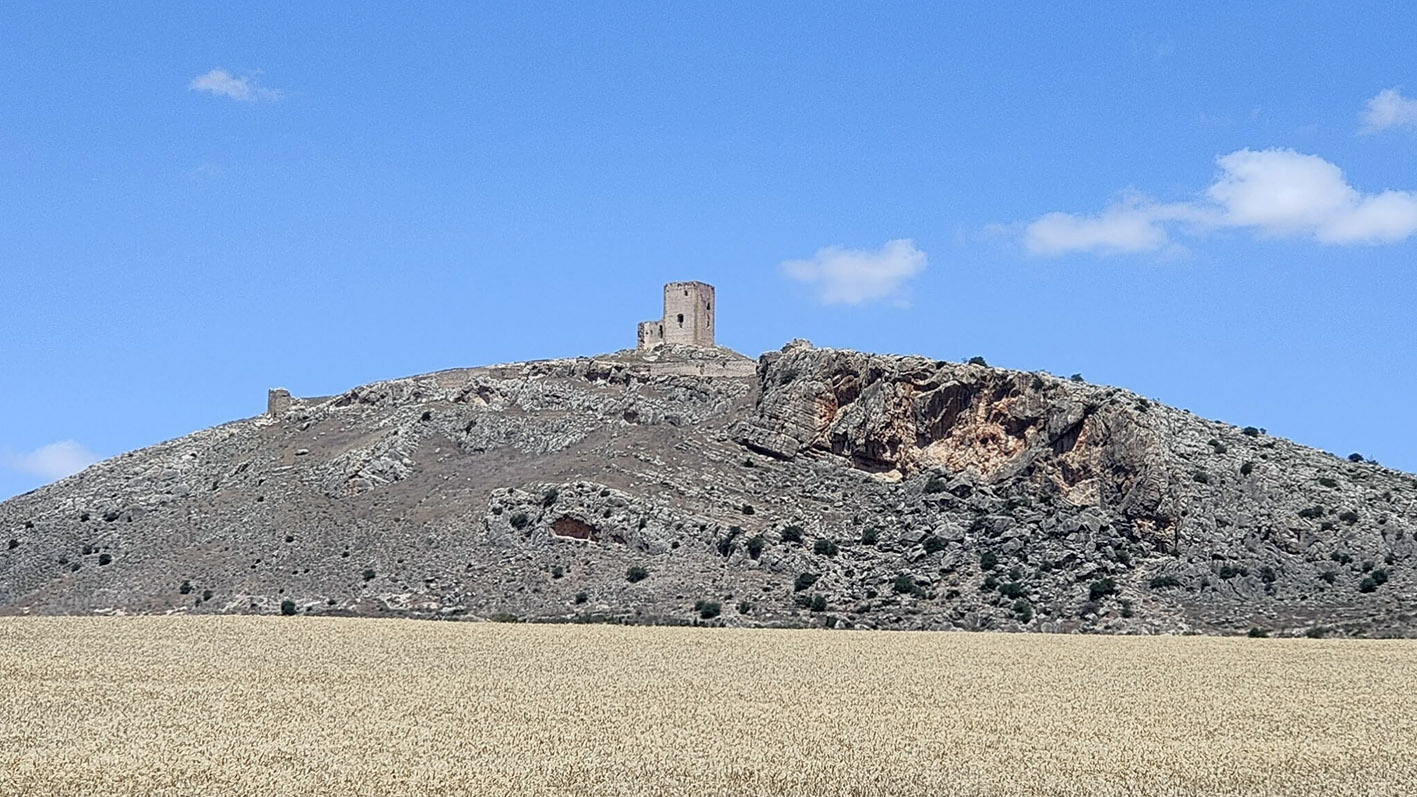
[(242, 706)]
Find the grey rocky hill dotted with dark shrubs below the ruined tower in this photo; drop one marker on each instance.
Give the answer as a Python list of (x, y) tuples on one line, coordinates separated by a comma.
[(684, 486)]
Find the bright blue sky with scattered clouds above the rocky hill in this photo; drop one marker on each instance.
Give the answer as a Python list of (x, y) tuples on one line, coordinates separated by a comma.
[(1209, 206)]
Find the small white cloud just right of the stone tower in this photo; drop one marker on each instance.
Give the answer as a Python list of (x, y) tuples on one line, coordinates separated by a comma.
[(852, 277)]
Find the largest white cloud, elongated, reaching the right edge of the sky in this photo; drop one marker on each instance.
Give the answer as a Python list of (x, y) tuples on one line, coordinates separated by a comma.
[(1272, 194)]
